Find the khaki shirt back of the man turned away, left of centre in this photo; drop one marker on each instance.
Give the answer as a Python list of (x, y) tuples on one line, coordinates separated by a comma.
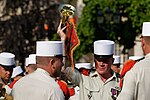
[(37, 86)]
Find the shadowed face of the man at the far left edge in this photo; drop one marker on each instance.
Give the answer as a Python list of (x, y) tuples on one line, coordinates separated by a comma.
[(5, 73)]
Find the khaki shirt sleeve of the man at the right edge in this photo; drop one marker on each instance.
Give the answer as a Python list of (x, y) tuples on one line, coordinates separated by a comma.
[(129, 85)]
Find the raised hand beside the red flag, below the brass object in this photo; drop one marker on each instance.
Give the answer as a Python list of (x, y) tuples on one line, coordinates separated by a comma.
[(60, 31)]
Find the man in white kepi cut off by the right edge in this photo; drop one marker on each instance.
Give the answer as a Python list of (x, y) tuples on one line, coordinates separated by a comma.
[(136, 84)]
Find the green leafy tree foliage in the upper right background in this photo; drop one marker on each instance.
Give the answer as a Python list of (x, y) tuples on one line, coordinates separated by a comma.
[(132, 14)]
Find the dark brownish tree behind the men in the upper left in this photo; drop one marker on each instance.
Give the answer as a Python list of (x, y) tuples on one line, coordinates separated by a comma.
[(23, 22)]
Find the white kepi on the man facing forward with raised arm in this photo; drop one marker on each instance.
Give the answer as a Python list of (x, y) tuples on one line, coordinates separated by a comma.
[(103, 48)]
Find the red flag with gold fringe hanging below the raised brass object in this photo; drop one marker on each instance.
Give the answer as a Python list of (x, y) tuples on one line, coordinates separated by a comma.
[(71, 41)]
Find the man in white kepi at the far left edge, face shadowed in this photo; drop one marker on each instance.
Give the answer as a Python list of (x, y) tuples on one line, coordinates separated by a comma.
[(7, 63)]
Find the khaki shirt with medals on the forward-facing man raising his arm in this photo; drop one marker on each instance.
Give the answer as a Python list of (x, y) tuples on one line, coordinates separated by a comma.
[(93, 88)]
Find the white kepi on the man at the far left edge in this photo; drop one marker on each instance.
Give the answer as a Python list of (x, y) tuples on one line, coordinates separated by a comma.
[(7, 59)]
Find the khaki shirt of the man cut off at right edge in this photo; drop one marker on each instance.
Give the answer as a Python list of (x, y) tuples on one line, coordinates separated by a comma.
[(136, 84)]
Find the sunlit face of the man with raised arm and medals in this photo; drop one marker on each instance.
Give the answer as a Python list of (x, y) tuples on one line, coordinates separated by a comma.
[(103, 65)]
